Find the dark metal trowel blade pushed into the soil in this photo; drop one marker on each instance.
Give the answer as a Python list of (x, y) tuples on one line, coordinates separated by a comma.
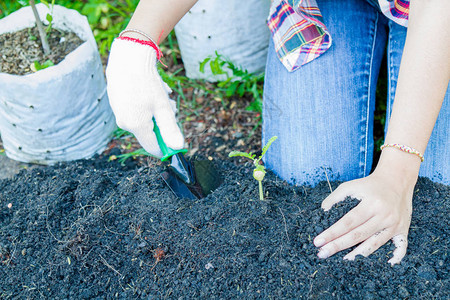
[(205, 177)]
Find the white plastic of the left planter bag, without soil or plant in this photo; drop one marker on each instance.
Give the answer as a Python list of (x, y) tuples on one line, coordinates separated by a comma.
[(60, 113)]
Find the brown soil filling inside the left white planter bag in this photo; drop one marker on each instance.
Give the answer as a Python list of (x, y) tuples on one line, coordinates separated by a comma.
[(22, 48)]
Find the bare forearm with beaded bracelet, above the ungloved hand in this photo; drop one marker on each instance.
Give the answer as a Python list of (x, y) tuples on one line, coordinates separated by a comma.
[(422, 83)]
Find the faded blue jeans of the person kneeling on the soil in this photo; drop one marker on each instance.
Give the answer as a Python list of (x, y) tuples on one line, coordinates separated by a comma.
[(323, 113)]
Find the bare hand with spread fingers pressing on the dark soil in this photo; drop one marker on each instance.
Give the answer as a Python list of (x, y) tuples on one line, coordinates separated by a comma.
[(384, 213)]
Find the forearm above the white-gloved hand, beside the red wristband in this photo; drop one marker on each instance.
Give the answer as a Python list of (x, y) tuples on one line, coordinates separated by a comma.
[(158, 17)]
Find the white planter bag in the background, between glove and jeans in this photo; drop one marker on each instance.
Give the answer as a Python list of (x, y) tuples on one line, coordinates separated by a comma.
[(236, 29)]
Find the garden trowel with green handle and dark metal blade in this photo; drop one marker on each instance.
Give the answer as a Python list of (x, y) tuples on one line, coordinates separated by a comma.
[(187, 179)]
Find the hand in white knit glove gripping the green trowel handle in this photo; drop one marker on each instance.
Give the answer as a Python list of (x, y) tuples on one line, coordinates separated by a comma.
[(137, 94)]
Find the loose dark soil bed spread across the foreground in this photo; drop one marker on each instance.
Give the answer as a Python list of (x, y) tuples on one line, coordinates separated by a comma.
[(96, 229)]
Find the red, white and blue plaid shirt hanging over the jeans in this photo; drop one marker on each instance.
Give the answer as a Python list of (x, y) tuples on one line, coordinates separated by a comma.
[(299, 34)]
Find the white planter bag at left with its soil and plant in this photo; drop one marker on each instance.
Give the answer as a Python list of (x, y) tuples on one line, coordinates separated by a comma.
[(53, 107)]
